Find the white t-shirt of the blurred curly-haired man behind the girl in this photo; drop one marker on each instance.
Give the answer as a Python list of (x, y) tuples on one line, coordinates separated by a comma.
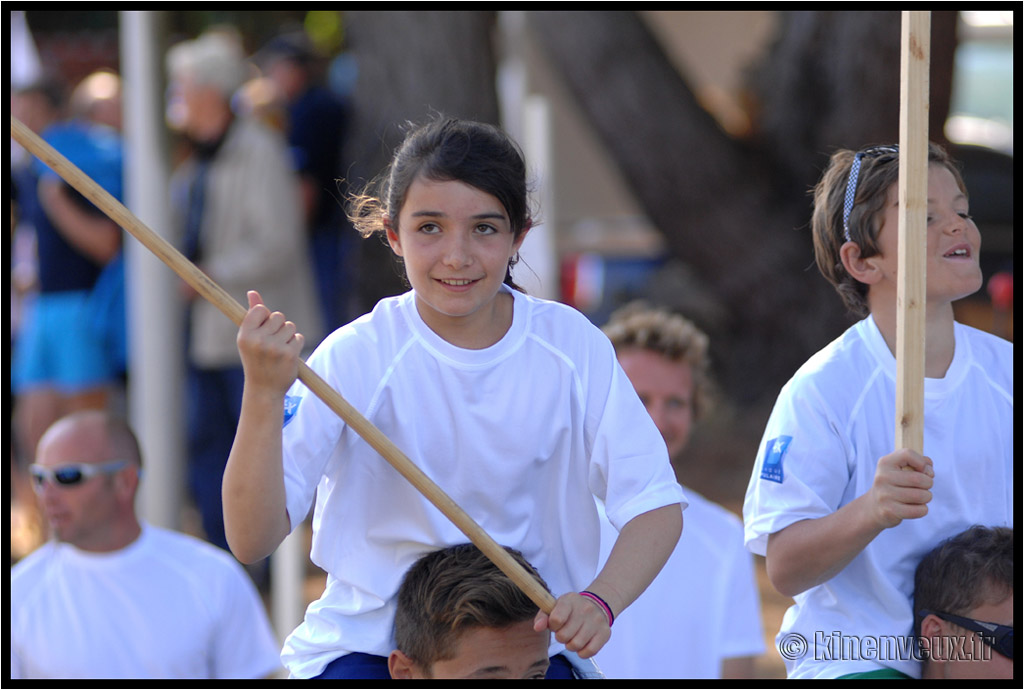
[(703, 609)]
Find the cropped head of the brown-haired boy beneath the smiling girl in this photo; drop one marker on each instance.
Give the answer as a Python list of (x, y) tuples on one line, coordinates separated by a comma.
[(460, 617)]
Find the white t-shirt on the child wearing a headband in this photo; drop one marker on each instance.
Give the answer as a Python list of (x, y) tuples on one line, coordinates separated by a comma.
[(832, 423)]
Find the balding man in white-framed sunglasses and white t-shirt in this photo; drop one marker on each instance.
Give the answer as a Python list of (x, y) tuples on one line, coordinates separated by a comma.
[(110, 596)]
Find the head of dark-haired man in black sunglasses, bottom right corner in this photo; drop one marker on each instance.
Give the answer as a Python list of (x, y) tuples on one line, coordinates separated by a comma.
[(964, 606)]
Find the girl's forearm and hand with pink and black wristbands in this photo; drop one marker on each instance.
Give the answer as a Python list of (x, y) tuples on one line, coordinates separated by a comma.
[(638, 555)]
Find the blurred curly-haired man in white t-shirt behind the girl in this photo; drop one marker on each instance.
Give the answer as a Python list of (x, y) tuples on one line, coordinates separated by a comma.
[(702, 616)]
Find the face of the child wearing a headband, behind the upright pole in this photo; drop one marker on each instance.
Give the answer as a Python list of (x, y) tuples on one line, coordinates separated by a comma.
[(954, 242)]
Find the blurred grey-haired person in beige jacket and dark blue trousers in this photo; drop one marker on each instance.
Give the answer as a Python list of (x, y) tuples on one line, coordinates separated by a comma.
[(239, 215)]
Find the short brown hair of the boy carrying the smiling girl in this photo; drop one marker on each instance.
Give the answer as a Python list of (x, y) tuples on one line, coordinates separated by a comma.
[(449, 591)]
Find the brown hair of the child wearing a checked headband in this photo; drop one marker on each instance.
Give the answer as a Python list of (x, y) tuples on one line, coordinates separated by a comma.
[(878, 175)]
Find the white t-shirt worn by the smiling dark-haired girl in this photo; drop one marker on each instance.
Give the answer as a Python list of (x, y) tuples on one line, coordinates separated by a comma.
[(522, 436)]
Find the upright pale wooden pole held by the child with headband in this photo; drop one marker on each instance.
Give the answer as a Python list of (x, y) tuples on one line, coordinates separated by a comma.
[(911, 297)]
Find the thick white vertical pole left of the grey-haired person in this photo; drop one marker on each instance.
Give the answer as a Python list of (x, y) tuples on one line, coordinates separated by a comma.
[(155, 315)]
